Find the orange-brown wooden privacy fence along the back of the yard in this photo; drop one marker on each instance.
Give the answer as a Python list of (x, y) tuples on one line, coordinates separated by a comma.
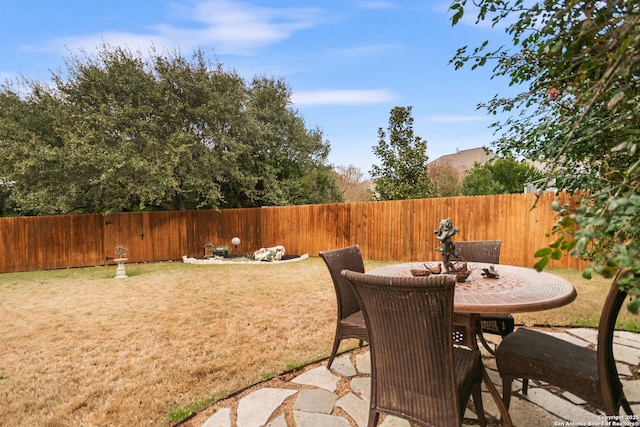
[(396, 230)]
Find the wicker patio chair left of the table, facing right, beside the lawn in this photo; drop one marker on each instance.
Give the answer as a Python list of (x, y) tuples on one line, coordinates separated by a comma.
[(350, 321)]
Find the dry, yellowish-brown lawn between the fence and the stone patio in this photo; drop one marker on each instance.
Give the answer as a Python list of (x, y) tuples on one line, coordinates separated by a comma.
[(80, 347)]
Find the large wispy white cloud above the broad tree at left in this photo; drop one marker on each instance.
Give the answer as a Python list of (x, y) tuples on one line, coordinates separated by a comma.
[(231, 28)]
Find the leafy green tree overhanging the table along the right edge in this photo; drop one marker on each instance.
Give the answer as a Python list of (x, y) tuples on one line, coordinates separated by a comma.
[(577, 65)]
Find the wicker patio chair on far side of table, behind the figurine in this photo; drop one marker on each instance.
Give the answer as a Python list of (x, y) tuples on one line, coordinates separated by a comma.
[(494, 323)]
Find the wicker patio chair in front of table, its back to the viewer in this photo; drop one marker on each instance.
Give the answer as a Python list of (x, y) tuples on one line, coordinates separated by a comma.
[(416, 372)]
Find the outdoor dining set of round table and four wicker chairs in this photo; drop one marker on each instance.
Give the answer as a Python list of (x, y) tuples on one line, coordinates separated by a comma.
[(424, 323)]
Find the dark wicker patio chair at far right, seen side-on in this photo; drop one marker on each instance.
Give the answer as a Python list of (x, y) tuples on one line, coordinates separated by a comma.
[(589, 374)]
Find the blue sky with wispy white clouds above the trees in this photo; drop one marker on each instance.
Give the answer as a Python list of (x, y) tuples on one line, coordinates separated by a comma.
[(347, 62)]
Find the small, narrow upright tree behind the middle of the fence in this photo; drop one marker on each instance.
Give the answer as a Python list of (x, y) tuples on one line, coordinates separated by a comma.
[(403, 172)]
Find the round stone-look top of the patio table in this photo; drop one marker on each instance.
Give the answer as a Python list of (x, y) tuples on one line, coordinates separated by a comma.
[(517, 290)]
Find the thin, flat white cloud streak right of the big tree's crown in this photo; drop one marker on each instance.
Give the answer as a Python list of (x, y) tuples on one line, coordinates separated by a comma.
[(342, 97)]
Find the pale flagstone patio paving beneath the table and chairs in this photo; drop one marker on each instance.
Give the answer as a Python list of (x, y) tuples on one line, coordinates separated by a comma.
[(318, 397)]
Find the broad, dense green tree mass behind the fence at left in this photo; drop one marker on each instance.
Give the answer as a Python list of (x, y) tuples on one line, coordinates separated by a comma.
[(121, 131)]
